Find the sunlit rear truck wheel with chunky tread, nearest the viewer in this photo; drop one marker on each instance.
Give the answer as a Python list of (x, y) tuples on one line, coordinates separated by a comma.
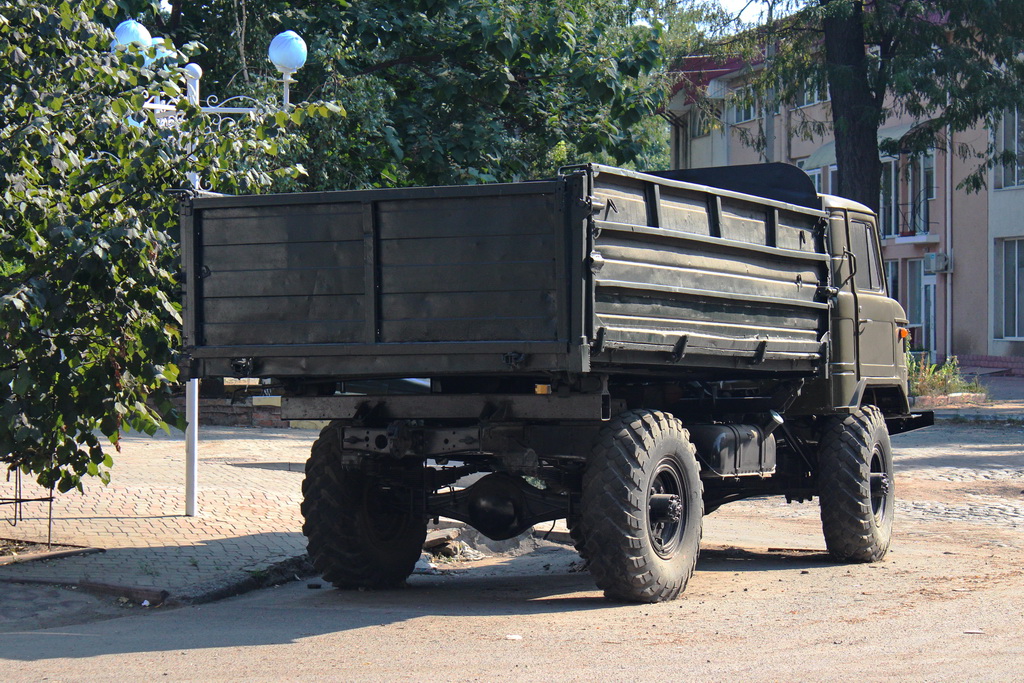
[(643, 508)]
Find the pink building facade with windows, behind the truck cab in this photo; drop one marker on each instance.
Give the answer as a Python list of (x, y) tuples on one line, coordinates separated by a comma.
[(954, 260)]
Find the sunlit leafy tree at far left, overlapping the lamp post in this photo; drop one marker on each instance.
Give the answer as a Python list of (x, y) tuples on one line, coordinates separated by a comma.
[(89, 294)]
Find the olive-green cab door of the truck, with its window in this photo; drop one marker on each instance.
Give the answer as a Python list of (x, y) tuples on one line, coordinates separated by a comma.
[(876, 327)]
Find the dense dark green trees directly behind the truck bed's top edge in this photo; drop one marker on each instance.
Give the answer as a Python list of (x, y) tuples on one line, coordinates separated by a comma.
[(448, 92)]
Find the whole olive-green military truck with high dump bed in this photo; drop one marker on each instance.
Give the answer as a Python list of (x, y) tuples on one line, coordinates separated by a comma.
[(627, 352)]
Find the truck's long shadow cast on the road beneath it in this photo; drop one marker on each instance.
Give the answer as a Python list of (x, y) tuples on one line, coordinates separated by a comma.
[(538, 583)]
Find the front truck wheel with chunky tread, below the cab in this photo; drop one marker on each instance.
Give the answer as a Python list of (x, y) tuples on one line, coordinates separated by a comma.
[(856, 486)]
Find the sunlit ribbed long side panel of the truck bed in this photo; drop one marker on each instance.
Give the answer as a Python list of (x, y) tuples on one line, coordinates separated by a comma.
[(723, 279)]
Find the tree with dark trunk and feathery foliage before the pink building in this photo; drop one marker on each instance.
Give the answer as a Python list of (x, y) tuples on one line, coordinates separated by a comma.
[(954, 65)]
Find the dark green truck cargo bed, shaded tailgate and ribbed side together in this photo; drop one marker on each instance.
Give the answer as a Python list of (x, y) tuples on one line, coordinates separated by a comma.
[(599, 269)]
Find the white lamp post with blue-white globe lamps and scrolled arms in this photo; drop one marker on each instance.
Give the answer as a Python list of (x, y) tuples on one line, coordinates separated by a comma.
[(288, 53)]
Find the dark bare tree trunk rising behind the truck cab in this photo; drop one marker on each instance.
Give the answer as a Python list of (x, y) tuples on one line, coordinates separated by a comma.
[(857, 112)]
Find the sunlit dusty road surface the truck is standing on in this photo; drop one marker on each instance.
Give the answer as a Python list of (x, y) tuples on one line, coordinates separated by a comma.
[(765, 604)]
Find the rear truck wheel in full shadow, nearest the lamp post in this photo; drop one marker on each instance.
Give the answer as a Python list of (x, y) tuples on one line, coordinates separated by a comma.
[(358, 533)]
